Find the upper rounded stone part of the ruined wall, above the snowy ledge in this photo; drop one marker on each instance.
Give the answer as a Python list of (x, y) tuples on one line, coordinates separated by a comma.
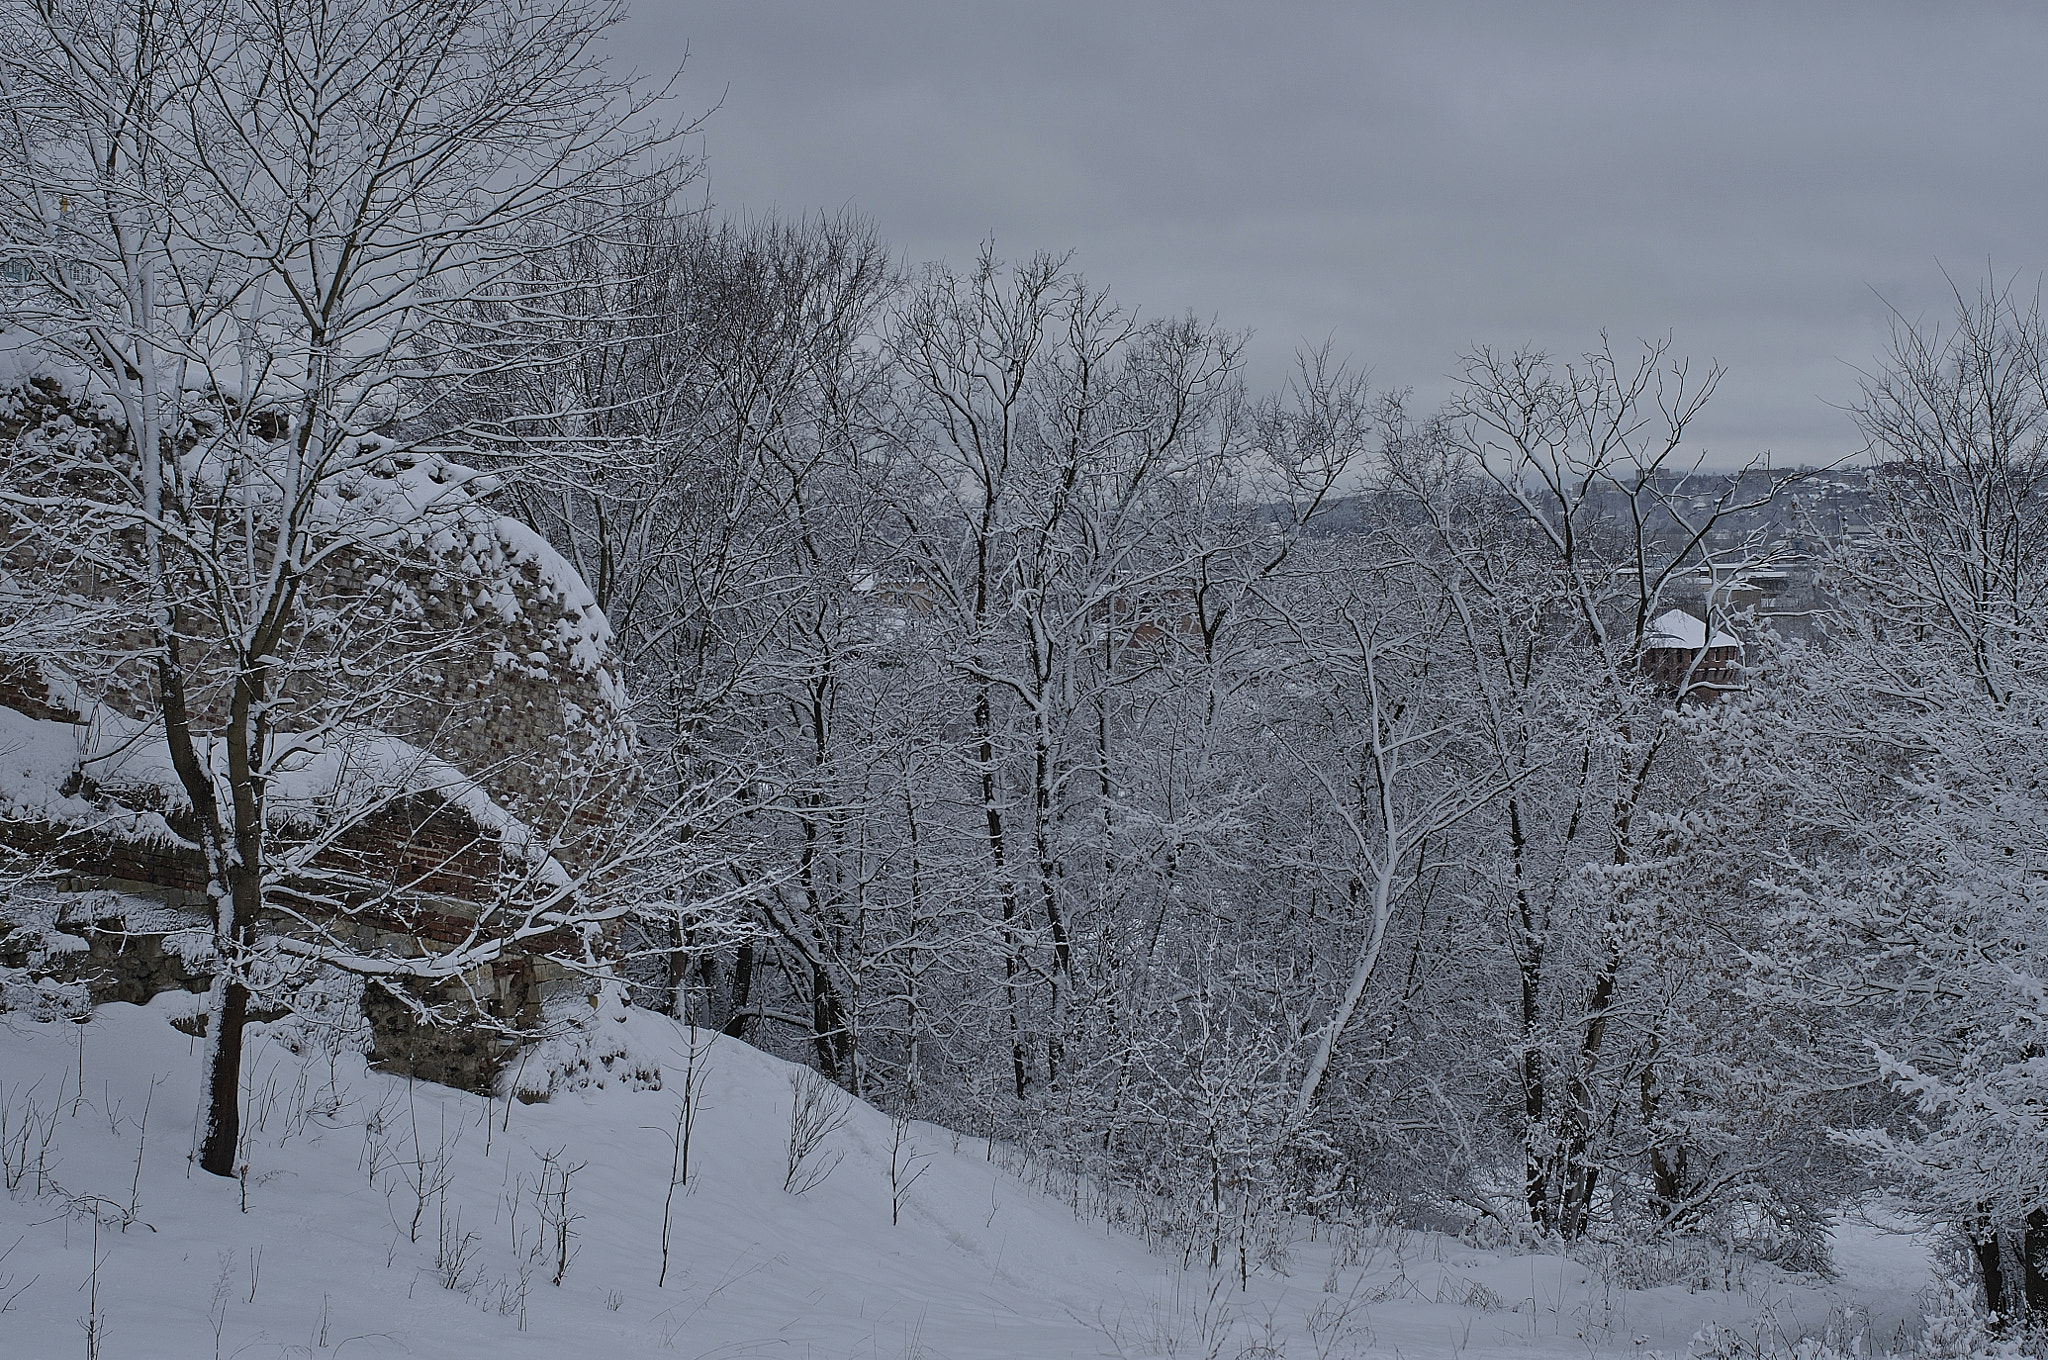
[(476, 648)]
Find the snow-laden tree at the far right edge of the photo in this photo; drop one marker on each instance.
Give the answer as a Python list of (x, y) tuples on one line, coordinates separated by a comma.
[(1908, 755)]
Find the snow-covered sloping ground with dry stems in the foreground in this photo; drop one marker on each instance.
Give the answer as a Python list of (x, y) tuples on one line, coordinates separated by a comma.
[(396, 1220)]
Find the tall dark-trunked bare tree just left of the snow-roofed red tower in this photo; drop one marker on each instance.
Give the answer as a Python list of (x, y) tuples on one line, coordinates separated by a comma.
[(1570, 505)]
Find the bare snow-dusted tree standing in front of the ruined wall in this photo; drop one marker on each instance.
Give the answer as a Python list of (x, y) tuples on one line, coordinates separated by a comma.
[(251, 228)]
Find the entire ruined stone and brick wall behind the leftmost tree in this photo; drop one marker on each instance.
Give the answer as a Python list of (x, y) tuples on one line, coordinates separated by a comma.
[(470, 644)]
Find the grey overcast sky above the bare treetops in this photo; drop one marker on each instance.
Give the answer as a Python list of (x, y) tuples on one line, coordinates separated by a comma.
[(1412, 181)]
